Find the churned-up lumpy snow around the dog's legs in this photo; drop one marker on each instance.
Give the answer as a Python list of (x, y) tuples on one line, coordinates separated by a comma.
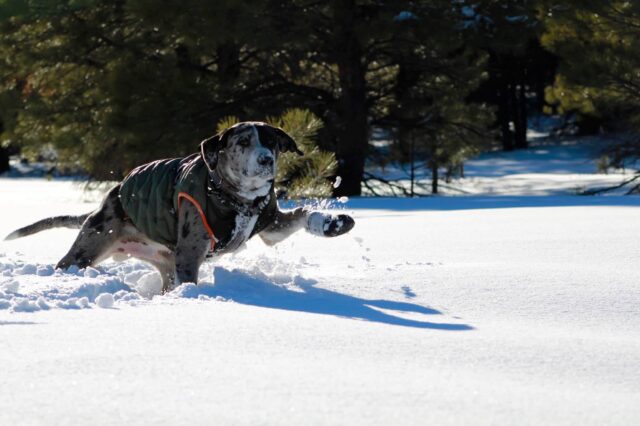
[(28, 287)]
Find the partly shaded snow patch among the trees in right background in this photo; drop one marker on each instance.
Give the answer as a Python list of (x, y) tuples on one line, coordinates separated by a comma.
[(565, 166)]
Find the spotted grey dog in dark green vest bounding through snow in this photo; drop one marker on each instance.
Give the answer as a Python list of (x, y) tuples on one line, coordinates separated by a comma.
[(174, 213)]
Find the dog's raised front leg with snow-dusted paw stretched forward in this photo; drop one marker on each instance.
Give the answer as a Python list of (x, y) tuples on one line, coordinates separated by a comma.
[(316, 223)]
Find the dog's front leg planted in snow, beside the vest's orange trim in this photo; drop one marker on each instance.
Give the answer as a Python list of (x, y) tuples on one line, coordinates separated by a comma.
[(193, 242)]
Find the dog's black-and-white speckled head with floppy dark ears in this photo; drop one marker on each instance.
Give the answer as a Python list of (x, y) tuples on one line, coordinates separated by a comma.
[(245, 156)]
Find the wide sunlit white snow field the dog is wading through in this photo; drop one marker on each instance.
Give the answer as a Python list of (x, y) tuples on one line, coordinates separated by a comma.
[(480, 309)]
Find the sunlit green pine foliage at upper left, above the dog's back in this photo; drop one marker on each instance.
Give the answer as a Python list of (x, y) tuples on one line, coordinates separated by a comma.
[(112, 84)]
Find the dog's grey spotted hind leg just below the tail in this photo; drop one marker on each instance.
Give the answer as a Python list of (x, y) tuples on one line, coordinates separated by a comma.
[(98, 233)]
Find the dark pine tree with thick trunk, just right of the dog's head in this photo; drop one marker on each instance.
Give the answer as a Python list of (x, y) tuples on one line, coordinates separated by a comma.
[(349, 54)]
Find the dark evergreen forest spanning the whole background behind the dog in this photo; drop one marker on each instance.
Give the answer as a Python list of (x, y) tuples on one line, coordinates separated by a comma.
[(112, 84)]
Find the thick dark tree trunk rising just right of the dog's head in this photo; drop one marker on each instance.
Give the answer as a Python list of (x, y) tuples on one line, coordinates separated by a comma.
[(352, 127)]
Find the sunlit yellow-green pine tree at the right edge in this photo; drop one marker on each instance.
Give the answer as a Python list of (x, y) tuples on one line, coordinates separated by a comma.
[(599, 43)]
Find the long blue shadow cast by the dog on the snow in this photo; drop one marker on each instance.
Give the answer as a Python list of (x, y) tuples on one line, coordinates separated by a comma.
[(260, 290)]
